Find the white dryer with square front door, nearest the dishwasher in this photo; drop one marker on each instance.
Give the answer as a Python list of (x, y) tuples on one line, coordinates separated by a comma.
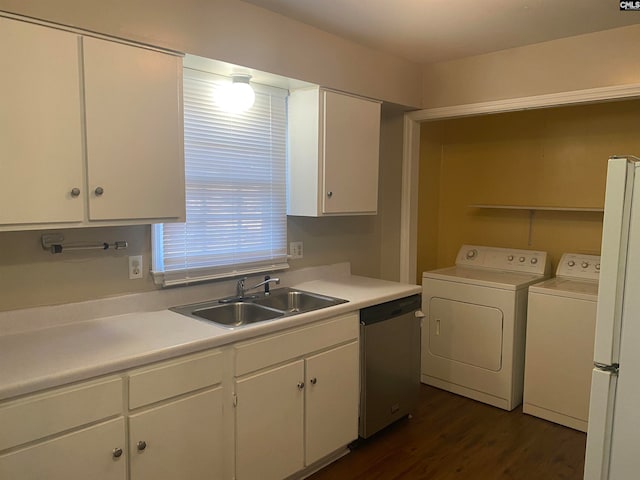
[(473, 336)]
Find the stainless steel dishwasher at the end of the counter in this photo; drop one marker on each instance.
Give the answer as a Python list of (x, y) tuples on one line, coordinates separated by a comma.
[(389, 362)]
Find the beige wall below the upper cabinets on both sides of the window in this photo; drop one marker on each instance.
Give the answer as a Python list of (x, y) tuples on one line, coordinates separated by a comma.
[(30, 276)]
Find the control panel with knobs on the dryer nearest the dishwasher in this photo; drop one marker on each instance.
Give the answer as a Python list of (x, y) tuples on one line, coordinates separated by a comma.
[(508, 259)]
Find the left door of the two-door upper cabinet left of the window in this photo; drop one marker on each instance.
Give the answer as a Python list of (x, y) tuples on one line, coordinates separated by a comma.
[(40, 125)]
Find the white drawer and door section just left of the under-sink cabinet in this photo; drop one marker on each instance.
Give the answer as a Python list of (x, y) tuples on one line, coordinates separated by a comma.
[(175, 427)]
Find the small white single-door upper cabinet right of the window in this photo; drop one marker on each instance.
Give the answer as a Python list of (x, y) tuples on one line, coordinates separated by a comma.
[(333, 153)]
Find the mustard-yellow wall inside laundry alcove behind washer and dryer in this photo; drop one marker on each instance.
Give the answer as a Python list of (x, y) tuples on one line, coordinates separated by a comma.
[(554, 157)]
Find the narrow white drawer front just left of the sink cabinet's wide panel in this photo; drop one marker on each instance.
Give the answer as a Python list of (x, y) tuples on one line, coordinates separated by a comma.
[(175, 377)]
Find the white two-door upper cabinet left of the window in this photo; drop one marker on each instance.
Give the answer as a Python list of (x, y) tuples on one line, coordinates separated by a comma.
[(91, 131)]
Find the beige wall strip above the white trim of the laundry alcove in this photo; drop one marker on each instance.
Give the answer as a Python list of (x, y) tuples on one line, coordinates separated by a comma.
[(600, 59)]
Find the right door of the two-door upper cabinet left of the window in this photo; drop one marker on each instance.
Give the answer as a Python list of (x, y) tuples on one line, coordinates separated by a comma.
[(133, 101)]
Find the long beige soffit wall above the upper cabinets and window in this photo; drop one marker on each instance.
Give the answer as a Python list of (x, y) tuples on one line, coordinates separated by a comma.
[(237, 32)]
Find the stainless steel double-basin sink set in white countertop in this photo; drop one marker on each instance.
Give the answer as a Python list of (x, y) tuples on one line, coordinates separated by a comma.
[(238, 312)]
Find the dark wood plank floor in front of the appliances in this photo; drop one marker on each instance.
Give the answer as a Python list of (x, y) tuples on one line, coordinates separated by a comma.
[(455, 438)]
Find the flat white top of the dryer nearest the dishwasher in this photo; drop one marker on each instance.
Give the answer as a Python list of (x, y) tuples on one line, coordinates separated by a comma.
[(484, 277)]
